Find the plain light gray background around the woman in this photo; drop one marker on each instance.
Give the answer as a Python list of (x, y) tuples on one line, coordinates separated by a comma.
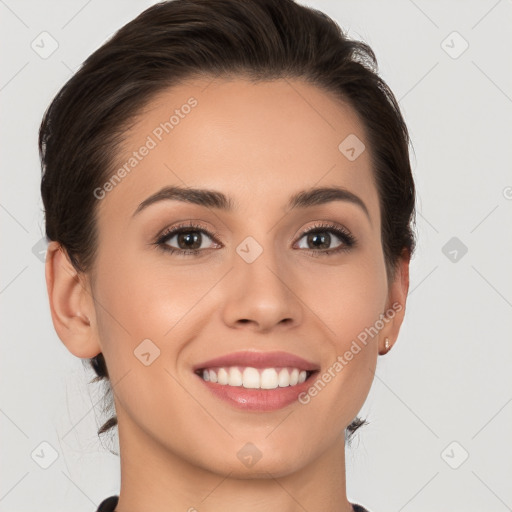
[(448, 378)]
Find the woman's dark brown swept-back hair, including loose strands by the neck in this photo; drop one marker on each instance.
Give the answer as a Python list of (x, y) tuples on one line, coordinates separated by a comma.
[(181, 39)]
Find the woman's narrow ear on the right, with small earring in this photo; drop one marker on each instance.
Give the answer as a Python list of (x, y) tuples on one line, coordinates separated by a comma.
[(395, 305)]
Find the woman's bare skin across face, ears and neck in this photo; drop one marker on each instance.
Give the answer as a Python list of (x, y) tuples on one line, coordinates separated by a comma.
[(258, 144)]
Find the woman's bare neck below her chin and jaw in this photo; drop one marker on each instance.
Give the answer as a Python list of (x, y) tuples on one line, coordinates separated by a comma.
[(154, 478)]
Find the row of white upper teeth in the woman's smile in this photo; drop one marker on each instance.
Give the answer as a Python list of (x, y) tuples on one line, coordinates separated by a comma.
[(253, 378)]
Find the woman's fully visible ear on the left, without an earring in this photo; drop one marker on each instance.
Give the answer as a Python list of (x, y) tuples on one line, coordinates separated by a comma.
[(71, 303)]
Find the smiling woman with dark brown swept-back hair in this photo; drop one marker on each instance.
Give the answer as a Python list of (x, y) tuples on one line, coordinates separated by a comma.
[(229, 201)]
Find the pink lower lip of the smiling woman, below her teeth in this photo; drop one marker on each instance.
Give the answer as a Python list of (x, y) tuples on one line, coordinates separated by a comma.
[(258, 399)]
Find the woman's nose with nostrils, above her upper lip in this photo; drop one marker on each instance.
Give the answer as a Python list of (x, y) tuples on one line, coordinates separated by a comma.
[(259, 296)]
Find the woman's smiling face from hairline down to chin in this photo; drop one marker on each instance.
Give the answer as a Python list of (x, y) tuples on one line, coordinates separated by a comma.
[(256, 283)]
